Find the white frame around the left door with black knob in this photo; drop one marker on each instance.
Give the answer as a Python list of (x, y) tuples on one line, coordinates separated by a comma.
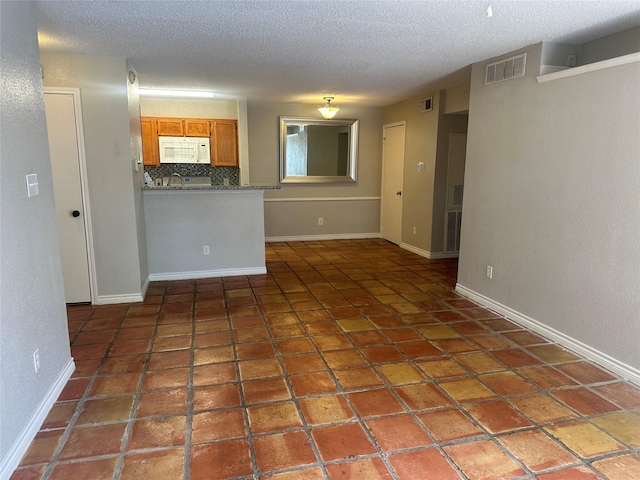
[(84, 183)]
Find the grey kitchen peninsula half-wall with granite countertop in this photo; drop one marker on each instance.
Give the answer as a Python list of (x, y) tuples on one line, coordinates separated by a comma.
[(204, 231)]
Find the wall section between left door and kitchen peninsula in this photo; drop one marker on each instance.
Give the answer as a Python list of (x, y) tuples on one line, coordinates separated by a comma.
[(114, 186)]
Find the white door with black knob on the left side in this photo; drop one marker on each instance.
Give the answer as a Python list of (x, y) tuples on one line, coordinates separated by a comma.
[(64, 148)]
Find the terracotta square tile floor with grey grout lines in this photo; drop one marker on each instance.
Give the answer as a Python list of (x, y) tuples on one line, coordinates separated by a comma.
[(349, 359)]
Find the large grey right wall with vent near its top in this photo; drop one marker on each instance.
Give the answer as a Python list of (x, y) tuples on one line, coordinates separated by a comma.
[(552, 197)]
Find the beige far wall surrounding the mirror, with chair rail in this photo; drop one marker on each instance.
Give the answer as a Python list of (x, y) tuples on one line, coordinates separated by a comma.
[(348, 210)]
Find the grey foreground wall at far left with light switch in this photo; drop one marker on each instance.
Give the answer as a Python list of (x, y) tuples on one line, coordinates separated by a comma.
[(32, 309)]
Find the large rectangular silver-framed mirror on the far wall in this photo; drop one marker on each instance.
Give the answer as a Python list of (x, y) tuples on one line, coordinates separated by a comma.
[(315, 150)]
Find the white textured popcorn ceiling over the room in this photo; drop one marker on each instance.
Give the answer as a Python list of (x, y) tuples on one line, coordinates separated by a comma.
[(373, 52)]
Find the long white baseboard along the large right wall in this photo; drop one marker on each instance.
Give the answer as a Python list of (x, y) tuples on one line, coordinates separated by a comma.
[(625, 371)]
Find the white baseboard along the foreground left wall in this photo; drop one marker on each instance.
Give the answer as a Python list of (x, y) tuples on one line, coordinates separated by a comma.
[(22, 443)]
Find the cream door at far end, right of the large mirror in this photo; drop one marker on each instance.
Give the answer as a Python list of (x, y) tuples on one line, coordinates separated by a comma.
[(392, 172)]
